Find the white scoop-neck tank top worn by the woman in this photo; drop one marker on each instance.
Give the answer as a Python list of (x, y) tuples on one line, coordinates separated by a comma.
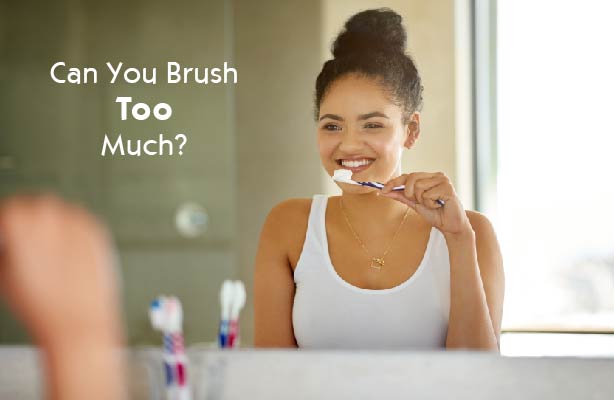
[(331, 313)]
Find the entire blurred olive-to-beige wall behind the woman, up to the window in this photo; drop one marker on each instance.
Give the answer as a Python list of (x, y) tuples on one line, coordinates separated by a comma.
[(250, 145)]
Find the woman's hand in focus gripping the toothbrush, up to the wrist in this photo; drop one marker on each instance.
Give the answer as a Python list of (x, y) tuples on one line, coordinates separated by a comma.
[(422, 189)]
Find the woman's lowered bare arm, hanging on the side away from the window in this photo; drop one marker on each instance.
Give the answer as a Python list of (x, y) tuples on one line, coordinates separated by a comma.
[(273, 282)]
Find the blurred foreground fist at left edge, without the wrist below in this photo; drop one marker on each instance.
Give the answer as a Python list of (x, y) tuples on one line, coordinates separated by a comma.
[(57, 269)]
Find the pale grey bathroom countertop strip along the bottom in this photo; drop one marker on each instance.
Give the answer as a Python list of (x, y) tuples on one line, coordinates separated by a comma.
[(307, 374)]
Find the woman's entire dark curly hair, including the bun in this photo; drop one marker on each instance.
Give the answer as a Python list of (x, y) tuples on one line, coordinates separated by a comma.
[(372, 44)]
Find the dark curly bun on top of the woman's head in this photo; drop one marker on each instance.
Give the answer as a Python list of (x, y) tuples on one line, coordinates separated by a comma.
[(380, 29)]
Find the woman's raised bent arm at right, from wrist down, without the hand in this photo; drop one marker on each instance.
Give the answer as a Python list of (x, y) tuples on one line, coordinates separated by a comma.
[(477, 286)]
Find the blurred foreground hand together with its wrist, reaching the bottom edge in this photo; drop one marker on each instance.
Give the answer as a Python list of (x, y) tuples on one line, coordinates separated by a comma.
[(57, 272)]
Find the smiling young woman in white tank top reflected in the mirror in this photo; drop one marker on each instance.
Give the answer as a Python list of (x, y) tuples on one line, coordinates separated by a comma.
[(376, 269)]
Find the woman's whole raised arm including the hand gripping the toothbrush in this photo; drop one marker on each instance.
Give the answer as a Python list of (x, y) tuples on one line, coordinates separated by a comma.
[(476, 266)]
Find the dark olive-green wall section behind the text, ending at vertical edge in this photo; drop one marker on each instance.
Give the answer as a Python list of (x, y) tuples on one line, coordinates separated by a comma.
[(52, 135)]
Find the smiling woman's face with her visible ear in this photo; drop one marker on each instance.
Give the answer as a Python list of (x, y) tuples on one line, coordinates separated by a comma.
[(360, 129)]
